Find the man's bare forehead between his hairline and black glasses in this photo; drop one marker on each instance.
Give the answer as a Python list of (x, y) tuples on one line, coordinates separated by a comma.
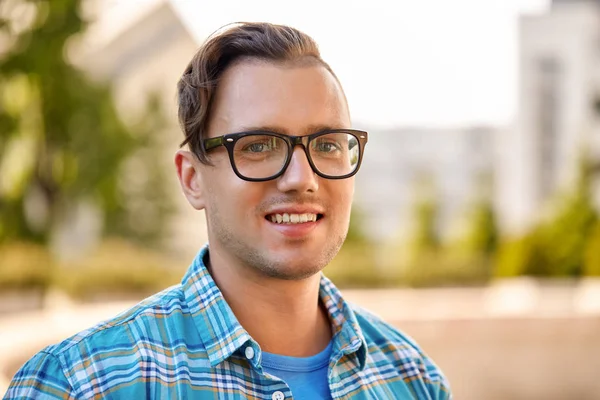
[(262, 94)]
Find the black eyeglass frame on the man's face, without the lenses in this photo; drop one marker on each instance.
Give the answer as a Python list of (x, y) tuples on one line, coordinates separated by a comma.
[(230, 139)]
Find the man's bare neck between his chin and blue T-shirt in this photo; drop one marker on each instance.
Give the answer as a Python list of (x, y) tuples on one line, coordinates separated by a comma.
[(285, 317)]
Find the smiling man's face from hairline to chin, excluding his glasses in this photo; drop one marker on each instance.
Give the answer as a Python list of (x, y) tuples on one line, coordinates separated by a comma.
[(293, 100)]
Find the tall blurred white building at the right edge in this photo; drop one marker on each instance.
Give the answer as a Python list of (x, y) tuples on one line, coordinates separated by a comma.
[(558, 114)]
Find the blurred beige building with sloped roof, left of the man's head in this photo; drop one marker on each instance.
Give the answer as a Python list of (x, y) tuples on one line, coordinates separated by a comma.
[(143, 52)]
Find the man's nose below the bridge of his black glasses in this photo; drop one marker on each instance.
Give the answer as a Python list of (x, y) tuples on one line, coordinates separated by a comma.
[(299, 175)]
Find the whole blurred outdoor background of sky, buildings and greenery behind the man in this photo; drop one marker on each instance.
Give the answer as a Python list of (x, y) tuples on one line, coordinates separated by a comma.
[(475, 226)]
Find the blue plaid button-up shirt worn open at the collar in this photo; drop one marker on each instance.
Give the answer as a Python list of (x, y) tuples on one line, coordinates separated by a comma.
[(185, 342)]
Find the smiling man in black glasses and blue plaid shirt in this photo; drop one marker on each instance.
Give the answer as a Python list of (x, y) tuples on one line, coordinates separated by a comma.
[(271, 161)]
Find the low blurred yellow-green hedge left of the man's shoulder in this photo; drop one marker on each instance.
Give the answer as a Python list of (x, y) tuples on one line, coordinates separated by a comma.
[(115, 267)]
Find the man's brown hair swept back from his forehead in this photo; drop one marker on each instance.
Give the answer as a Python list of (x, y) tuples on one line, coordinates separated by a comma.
[(262, 41)]
